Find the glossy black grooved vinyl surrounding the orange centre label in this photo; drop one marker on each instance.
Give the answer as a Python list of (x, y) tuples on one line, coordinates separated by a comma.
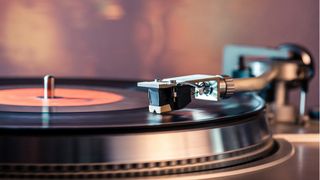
[(239, 107)]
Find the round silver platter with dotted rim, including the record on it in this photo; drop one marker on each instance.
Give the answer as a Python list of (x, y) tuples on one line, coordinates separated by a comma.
[(114, 135)]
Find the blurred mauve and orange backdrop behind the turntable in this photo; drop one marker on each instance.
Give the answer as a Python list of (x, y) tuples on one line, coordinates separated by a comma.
[(145, 39)]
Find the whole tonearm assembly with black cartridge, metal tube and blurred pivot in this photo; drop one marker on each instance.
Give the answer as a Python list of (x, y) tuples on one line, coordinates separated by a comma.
[(271, 72)]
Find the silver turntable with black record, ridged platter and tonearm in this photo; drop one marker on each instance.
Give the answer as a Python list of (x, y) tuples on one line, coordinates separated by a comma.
[(84, 128)]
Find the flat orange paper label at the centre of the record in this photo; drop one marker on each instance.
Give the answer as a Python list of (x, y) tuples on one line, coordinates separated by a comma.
[(63, 97)]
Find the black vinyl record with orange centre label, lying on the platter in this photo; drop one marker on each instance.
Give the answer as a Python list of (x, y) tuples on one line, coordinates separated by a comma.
[(106, 104)]
